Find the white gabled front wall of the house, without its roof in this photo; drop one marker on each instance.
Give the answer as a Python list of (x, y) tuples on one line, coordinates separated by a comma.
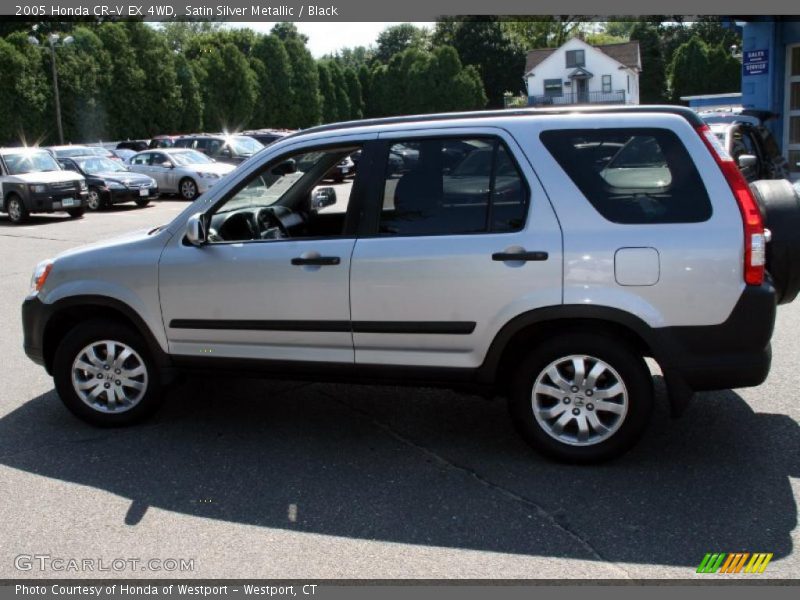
[(597, 63)]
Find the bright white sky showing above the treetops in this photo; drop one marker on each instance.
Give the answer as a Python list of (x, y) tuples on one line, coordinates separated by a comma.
[(328, 37)]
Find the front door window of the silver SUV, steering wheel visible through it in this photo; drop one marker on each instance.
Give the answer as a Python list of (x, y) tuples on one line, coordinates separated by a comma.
[(301, 195)]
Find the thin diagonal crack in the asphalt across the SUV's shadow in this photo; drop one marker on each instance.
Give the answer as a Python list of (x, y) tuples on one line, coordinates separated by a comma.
[(480, 479)]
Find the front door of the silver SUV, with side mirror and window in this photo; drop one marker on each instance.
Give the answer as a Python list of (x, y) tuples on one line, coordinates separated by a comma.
[(269, 297)]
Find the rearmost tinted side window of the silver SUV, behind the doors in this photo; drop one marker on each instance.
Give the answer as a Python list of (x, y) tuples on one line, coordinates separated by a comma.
[(632, 176)]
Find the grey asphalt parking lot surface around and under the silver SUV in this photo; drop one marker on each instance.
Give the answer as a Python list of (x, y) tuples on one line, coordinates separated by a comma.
[(296, 480)]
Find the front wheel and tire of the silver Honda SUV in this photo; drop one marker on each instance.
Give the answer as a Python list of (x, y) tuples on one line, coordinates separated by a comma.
[(85, 345)]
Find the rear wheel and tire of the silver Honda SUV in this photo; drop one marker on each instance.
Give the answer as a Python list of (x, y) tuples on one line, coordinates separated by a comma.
[(624, 415)]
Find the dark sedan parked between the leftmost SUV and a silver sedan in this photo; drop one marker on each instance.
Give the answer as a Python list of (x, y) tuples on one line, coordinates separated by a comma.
[(111, 182)]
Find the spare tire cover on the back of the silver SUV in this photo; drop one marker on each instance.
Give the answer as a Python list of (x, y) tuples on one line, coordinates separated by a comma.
[(779, 204)]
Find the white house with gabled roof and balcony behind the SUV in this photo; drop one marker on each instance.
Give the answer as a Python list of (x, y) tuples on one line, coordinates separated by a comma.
[(579, 73)]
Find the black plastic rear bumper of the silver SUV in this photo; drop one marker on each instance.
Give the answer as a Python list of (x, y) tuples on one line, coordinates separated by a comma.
[(733, 354)]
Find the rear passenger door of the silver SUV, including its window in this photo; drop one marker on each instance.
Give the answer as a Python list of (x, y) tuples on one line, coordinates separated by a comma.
[(448, 254)]
